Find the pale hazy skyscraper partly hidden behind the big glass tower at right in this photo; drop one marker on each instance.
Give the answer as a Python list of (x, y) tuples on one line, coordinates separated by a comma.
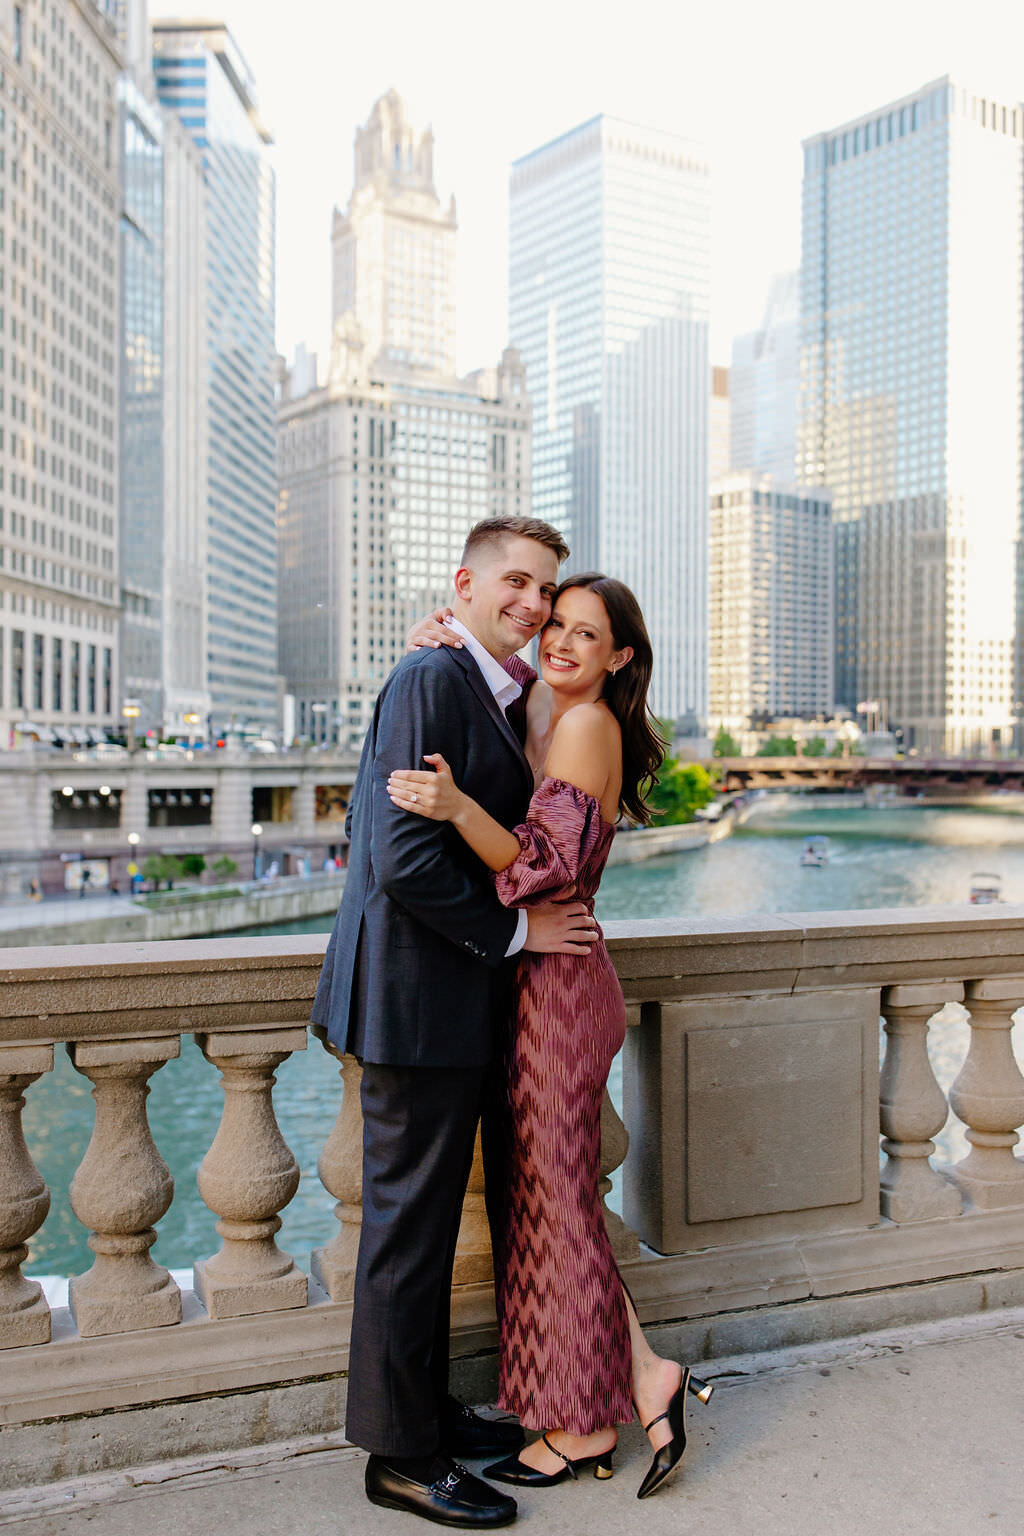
[(765, 388)]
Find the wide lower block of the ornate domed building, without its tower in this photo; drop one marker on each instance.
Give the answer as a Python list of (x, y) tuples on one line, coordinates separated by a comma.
[(380, 483)]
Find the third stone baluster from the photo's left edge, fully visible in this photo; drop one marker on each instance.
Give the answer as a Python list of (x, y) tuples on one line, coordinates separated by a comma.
[(246, 1177)]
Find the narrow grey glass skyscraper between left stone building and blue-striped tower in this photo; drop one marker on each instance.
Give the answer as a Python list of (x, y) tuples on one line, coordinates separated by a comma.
[(164, 485)]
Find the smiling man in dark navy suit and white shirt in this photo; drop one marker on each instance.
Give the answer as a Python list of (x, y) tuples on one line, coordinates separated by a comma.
[(412, 985)]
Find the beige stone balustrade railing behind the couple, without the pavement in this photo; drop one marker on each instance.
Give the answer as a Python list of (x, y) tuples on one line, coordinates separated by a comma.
[(755, 1205)]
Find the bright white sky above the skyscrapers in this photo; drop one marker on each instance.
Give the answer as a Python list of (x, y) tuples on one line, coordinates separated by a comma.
[(748, 79)]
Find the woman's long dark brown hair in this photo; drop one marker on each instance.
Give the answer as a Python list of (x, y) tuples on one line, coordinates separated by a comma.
[(627, 692)]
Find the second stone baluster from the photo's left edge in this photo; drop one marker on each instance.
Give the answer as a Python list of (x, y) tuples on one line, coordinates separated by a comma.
[(121, 1191)]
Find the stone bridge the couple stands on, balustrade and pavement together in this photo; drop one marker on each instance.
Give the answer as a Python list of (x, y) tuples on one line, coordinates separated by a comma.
[(836, 1303)]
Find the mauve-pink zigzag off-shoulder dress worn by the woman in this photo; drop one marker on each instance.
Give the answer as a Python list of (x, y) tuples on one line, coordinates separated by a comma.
[(564, 1360)]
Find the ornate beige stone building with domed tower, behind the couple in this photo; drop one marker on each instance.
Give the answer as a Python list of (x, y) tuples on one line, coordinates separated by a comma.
[(385, 469)]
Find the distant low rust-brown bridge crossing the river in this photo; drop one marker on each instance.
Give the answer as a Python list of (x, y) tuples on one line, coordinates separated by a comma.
[(954, 776)]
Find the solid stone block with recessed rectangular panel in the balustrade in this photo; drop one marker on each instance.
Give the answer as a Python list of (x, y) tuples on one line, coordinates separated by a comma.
[(751, 1119)]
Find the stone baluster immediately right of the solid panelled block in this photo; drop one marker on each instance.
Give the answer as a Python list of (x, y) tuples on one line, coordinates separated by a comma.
[(913, 1107)]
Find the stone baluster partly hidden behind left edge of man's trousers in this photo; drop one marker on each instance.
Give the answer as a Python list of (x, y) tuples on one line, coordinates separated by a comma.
[(340, 1170)]
